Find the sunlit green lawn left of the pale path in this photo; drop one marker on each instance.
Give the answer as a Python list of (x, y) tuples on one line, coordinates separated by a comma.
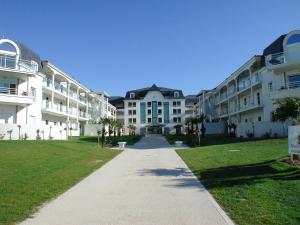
[(33, 172)]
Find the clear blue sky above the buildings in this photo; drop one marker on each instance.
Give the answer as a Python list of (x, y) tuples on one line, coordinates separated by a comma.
[(118, 45)]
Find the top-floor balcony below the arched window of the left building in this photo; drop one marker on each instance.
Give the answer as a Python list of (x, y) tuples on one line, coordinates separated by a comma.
[(10, 63)]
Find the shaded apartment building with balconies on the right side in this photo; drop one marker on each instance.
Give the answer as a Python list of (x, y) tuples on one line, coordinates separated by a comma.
[(247, 97)]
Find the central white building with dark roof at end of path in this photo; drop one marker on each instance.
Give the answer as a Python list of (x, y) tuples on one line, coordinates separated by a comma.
[(151, 110)]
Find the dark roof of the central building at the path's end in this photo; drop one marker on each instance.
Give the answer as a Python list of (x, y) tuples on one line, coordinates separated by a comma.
[(141, 93)]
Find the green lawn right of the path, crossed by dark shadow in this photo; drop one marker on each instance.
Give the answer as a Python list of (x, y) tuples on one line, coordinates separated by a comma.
[(249, 180)]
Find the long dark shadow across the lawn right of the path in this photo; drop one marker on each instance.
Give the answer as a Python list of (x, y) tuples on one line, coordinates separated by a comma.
[(247, 174)]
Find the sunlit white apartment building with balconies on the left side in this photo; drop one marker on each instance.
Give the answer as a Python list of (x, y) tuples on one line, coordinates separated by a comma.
[(39, 99)]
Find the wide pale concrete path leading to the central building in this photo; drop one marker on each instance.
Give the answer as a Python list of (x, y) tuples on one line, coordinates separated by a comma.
[(149, 187)]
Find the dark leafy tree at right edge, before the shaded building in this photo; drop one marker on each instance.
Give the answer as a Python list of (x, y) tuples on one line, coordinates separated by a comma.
[(288, 108)]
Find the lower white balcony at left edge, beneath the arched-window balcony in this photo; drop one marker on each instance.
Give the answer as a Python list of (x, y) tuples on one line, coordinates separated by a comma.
[(16, 96)]
